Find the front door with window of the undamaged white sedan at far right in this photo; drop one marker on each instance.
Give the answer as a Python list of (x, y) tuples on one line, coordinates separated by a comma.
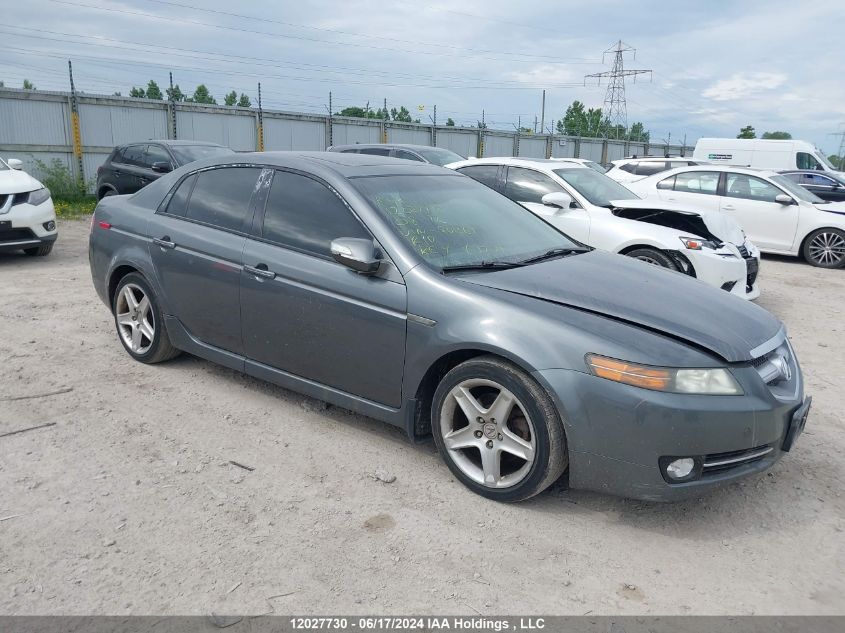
[(751, 201)]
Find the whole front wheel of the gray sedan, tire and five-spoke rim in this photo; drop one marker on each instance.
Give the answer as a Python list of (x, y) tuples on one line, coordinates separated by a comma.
[(498, 430)]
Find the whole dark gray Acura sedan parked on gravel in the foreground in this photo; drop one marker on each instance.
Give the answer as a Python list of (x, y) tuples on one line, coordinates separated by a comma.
[(418, 296)]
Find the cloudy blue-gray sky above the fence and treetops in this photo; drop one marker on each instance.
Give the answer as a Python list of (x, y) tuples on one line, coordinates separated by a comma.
[(717, 65)]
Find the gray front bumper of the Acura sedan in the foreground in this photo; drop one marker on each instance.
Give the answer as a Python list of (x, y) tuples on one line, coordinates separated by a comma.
[(617, 435)]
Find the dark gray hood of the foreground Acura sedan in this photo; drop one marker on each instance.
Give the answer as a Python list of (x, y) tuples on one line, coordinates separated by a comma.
[(643, 295)]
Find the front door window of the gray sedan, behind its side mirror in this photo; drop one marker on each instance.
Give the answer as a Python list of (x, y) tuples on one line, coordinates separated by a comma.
[(304, 214)]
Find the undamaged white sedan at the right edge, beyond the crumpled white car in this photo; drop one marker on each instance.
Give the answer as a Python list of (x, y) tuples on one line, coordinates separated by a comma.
[(780, 216)]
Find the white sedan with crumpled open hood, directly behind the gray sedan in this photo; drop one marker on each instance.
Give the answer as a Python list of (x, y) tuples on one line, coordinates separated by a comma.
[(600, 212)]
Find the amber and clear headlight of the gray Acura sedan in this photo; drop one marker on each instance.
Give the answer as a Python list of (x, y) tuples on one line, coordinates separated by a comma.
[(716, 381)]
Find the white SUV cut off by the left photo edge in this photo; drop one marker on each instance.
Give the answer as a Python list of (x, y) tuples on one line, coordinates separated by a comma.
[(27, 216)]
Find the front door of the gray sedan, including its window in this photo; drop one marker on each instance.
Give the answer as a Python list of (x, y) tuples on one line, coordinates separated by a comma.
[(305, 314)]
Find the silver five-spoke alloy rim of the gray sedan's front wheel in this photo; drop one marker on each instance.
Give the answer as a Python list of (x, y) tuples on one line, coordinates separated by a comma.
[(488, 434)]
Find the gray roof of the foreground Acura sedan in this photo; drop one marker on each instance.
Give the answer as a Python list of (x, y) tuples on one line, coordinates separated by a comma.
[(345, 165)]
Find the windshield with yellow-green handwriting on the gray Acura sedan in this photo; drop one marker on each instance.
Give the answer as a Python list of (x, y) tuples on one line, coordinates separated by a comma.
[(452, 221)]
